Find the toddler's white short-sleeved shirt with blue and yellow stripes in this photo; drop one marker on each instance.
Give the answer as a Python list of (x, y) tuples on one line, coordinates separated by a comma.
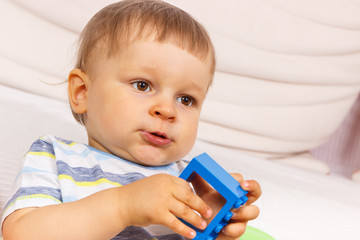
[(57, 171)]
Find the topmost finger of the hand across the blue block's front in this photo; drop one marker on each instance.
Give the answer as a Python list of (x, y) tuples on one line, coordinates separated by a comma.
[(193, 201)]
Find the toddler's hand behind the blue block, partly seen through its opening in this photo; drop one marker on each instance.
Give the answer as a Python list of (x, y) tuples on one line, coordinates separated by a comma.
[(242, 215)]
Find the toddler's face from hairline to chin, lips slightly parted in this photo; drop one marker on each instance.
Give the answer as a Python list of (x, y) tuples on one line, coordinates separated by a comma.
[(144, 104)]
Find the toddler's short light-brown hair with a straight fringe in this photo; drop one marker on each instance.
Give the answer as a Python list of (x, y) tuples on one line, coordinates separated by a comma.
[(123, 22)]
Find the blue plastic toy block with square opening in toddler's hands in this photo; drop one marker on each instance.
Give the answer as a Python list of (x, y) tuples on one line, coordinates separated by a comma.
[(222, 182)]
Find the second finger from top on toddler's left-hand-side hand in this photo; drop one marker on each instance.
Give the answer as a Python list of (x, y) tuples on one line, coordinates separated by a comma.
[(188, 215)]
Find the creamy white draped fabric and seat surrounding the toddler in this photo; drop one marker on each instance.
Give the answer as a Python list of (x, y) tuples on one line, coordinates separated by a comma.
[(287, 75)]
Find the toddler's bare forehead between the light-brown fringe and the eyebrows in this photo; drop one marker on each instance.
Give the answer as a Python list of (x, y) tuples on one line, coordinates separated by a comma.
[(164, 62)]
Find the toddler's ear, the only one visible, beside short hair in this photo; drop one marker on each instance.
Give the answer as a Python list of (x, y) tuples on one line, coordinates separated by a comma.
[(78, 83)]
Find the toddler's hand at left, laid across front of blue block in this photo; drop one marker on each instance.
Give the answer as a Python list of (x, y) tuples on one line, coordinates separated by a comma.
[(162, 199)]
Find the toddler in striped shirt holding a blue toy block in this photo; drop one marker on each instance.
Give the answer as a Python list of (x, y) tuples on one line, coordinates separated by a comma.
[(141, 77)]
